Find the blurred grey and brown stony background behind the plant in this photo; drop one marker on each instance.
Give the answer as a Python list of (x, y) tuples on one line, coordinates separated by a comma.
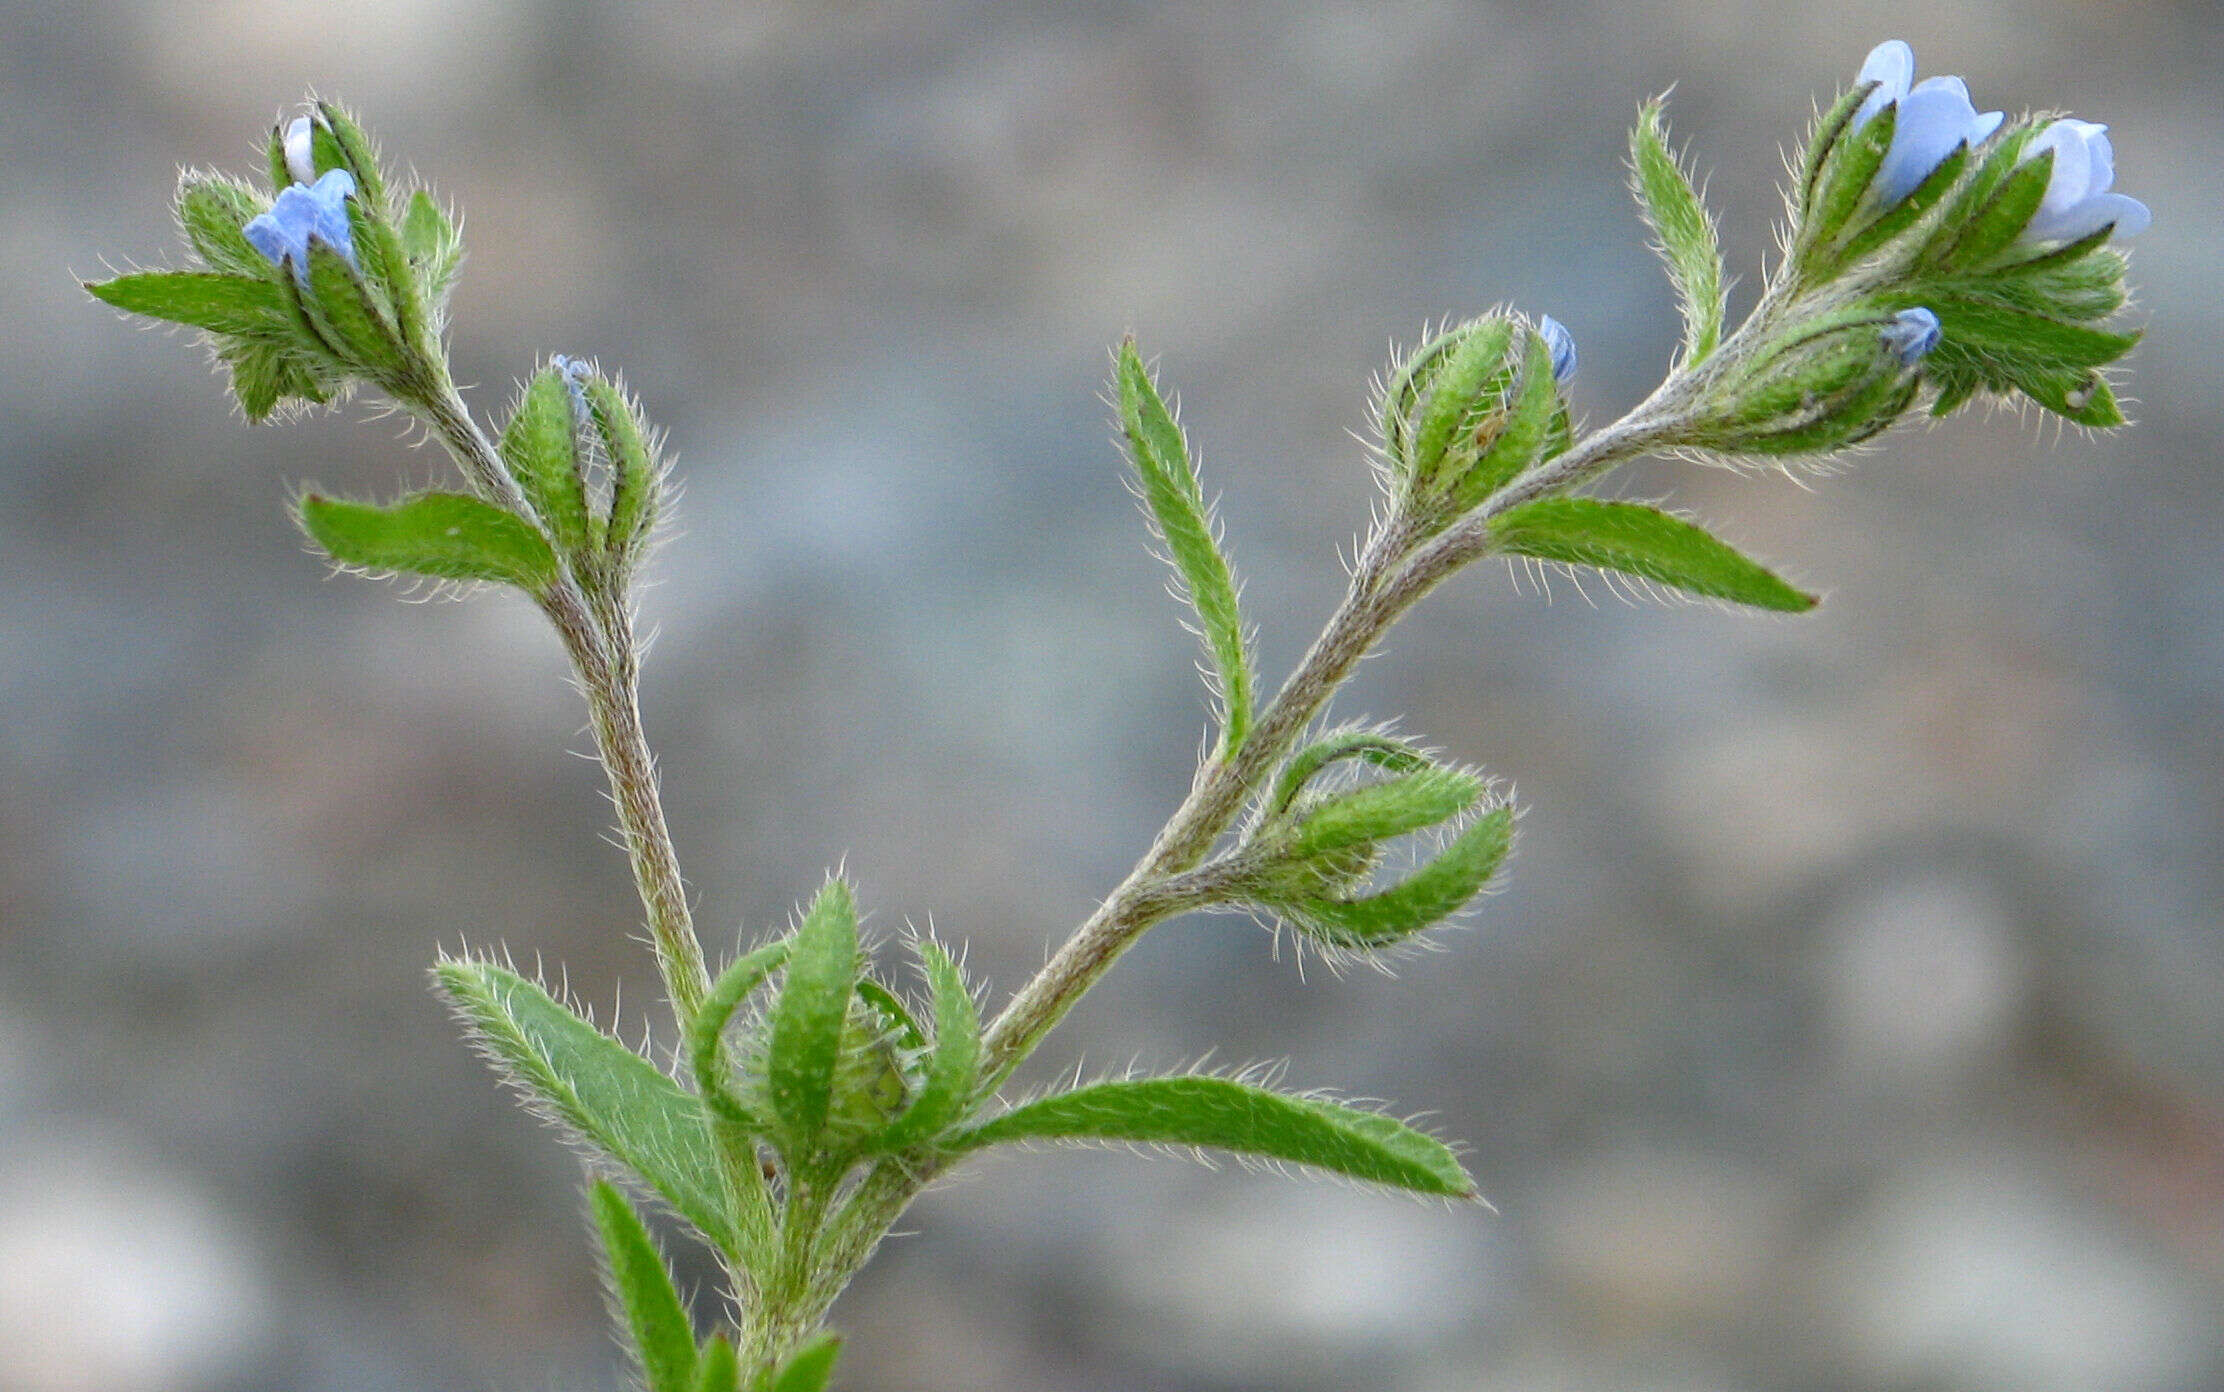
[(1849, 1022)]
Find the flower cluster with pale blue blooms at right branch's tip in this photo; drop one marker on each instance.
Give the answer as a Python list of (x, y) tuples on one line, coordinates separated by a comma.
[(1976, 248)]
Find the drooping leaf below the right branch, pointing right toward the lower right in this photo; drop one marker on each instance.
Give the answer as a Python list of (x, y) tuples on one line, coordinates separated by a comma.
[(1642, 541)]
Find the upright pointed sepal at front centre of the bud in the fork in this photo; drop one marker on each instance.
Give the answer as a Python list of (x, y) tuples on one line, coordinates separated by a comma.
[(811, 1015)]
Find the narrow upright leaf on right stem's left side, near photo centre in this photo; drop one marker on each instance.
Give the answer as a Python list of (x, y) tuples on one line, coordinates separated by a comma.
[(1162, 464)]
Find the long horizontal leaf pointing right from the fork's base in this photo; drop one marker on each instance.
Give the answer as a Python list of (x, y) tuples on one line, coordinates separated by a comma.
[(1238, 1117)]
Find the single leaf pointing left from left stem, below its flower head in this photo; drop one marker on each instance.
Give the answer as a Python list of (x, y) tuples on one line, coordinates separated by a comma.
[(450, 537)]
